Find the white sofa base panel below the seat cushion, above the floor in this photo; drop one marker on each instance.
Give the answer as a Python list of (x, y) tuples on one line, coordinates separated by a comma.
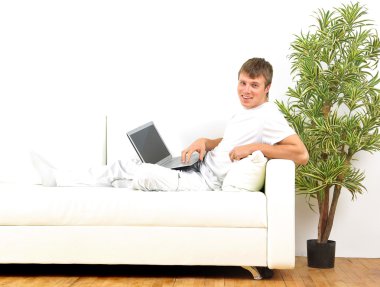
[(144, 245)]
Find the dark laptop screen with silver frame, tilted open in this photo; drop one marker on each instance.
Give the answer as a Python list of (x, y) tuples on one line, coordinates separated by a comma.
[(149, 144)]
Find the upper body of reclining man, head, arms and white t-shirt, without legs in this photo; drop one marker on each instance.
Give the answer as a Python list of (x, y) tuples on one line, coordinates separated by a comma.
[(259, 125)]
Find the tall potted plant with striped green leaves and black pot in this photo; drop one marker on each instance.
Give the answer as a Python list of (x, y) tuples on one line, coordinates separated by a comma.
[(335, 109)]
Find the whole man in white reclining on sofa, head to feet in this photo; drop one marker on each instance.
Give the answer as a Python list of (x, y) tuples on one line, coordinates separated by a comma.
[(259, 125)]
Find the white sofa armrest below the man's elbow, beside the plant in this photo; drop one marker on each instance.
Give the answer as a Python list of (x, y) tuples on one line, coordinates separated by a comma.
[(280, 193)]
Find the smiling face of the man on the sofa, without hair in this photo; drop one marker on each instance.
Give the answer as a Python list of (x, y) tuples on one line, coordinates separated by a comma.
[(252, 92)]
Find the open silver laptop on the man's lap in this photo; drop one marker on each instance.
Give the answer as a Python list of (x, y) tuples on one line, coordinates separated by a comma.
[(151, 148)]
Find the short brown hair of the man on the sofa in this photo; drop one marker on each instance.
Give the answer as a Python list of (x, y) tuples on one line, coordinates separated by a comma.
[(256, 67)]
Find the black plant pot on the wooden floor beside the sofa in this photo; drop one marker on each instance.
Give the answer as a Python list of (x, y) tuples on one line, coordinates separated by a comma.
[(320, 255)]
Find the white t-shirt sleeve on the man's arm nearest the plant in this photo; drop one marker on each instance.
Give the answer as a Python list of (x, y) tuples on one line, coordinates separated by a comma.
[(276, 128)]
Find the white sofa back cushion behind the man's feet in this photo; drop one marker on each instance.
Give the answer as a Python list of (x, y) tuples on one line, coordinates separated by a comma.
[(64, 139)]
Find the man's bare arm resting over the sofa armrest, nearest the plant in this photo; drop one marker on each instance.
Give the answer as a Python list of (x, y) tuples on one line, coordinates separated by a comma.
[(289, 148)]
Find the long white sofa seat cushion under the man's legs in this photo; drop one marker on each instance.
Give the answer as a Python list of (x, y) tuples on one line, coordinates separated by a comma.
[(103, 206)]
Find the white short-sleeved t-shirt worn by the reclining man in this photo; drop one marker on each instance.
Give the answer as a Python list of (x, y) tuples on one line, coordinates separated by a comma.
[(263, 124)]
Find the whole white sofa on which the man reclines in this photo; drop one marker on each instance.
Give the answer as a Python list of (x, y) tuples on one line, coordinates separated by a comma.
[(92, 225)]
